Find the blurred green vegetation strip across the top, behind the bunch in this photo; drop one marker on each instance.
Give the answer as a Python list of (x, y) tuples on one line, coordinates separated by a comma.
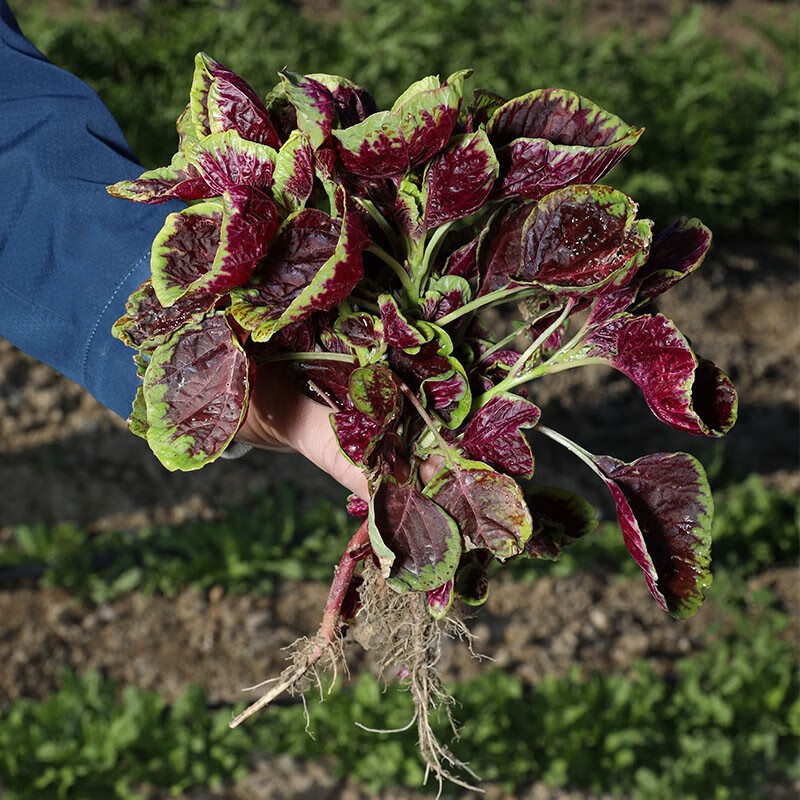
[(721, 120)]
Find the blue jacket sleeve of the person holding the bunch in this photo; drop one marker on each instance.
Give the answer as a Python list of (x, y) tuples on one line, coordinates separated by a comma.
[(69, 253)]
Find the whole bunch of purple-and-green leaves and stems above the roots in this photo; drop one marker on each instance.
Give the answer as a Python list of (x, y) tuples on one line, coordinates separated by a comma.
[(363, 245)]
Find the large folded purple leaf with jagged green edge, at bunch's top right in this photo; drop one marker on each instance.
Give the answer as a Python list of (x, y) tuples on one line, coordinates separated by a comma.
[(553, 138)]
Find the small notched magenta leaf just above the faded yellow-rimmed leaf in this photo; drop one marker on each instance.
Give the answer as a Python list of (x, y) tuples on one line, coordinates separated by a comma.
[(494, 434)]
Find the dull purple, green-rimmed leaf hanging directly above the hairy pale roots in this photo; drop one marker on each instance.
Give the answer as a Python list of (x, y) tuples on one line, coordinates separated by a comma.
[(417, 543)]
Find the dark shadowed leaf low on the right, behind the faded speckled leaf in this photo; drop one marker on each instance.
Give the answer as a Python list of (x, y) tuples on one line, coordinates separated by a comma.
[(560, 517)]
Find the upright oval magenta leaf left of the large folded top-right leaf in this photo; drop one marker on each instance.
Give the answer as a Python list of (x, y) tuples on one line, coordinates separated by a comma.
[(459, 179)]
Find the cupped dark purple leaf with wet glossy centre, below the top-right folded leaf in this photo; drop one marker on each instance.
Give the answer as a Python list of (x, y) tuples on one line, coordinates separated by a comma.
[(575, 239)]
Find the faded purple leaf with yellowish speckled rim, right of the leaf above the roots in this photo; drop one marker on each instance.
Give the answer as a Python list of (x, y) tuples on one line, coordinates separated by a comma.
[(489, 507)]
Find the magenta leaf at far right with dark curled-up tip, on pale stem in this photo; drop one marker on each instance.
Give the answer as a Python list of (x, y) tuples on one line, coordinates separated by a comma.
[(682, 391)]
